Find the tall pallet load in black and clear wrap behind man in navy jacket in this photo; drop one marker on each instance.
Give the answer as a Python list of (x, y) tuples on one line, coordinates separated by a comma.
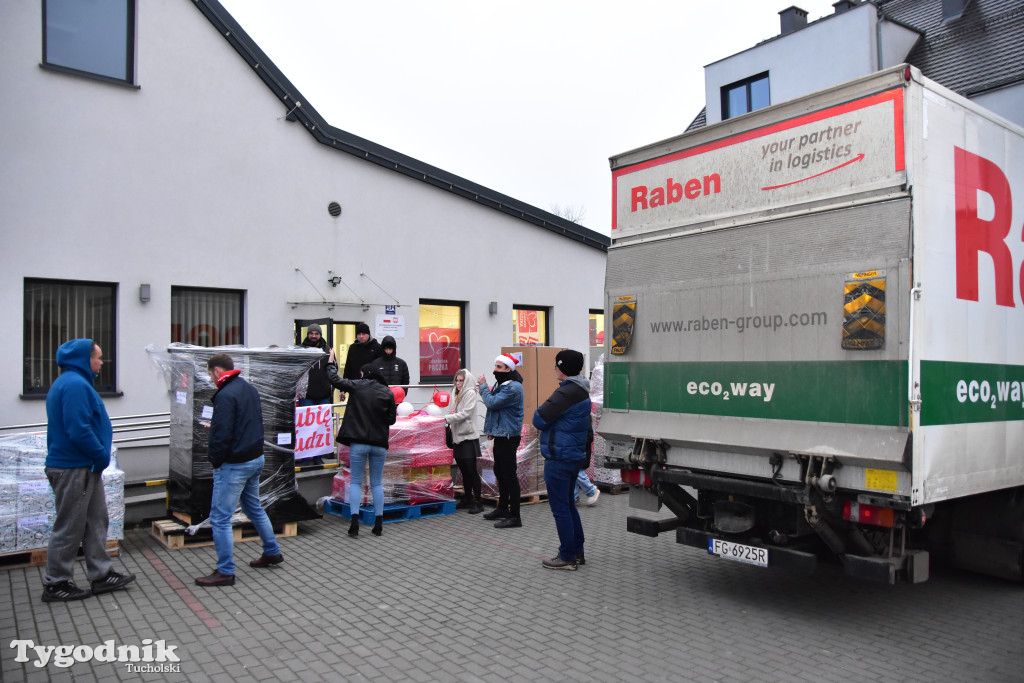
[(276, 374)]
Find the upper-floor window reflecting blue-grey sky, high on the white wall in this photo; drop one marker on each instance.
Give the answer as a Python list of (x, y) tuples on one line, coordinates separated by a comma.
[(97, 38)]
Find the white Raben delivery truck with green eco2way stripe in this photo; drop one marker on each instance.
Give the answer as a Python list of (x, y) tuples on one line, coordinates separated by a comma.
[(818, 346)]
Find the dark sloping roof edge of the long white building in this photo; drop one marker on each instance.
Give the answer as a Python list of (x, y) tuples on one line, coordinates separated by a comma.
[(302, 111)]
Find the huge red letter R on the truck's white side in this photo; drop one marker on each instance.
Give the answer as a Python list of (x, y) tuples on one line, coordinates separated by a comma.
[(976, 235)]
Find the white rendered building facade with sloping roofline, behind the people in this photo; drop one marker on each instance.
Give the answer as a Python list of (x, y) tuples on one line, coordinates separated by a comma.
[(164, 182)]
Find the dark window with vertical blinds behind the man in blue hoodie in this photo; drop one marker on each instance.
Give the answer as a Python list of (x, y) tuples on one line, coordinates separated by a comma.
[(57, 312)]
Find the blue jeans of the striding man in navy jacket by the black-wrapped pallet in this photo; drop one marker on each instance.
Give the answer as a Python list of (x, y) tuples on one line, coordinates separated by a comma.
[(234, 483)]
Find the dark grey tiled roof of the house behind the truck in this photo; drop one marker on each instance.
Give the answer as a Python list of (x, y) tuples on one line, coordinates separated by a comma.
[(982, 51)]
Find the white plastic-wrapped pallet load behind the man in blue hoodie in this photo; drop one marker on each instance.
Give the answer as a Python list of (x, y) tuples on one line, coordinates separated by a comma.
[(27, 500)]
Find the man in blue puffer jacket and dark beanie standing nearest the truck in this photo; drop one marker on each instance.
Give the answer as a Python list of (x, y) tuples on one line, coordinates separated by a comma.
[(566, 430)]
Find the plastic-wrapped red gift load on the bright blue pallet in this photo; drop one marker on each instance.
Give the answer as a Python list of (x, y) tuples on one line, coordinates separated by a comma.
[(418, 467)]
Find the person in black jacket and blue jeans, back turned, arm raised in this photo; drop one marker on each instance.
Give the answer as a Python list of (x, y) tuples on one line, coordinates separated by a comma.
[(366, 430)]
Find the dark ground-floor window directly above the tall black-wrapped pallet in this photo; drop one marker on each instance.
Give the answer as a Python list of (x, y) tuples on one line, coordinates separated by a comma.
[(207, 318)]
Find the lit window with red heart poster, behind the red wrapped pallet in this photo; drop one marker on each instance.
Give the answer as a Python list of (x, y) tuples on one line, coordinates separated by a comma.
[(443, 340)]
